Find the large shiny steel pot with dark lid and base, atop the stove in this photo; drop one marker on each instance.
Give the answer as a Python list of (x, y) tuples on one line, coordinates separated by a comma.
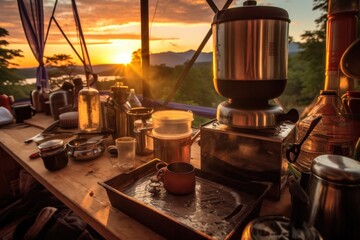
[(250, 52)]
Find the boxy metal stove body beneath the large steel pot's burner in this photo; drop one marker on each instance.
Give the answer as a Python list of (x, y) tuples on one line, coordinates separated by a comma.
[(247, 155)]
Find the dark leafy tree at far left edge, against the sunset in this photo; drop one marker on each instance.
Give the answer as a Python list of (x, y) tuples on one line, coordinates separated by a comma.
[(7, 74)]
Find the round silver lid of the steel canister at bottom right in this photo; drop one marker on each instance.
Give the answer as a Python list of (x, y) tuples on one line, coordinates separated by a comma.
[(336, 169)]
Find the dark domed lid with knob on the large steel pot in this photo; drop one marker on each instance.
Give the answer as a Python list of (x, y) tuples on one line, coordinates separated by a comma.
[(251, 11)]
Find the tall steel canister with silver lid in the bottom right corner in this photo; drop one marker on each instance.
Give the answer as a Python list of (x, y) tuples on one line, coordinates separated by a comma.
[(334, 193)]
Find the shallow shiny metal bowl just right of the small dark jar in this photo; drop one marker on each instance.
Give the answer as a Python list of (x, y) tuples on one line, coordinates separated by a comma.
[(85, 149)]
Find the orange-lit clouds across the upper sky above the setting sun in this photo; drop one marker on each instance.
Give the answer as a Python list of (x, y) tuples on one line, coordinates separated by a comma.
[(96, 15)]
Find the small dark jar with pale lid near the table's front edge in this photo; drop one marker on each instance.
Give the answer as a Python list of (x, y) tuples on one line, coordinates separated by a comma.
[(54, 154)]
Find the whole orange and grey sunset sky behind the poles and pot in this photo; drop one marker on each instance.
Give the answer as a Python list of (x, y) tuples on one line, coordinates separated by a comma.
[(112, 27)]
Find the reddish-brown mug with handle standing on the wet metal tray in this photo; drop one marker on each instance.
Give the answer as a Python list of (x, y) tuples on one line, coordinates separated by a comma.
[(178, 177)]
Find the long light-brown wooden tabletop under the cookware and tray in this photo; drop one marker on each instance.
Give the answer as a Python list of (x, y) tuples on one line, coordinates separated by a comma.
[(77, 184)]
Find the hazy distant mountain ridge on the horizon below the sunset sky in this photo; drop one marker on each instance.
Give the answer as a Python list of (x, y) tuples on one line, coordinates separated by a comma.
[(170, 59)]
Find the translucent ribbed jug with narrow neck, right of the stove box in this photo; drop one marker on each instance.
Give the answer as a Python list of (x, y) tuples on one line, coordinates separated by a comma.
[(332, 135)]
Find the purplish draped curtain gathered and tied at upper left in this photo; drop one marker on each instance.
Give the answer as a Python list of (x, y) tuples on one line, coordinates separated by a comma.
[(32, 18)]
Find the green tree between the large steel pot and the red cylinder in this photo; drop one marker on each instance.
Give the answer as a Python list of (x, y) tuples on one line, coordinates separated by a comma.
[(307, 68)]
